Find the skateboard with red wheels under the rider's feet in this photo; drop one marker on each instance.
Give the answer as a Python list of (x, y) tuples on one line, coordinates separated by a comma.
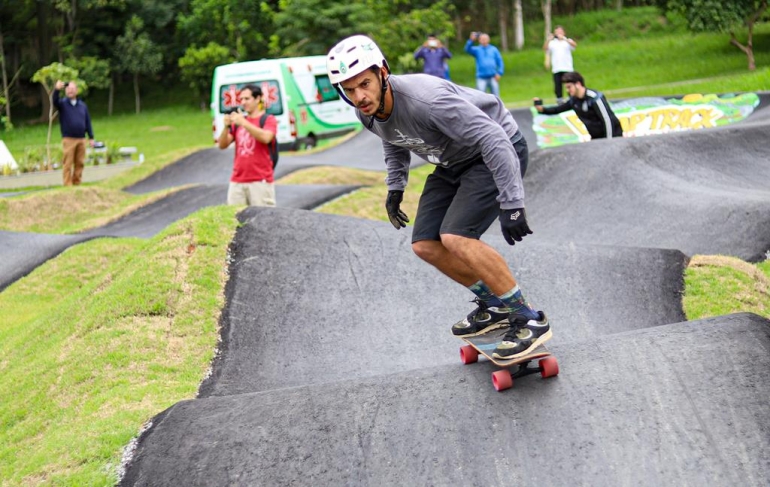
[(485, 344)]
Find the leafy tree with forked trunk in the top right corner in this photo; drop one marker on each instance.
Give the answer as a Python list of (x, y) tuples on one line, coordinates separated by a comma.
[(721, 16)]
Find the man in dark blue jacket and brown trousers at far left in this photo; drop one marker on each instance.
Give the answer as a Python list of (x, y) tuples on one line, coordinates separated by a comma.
[(75, 123)]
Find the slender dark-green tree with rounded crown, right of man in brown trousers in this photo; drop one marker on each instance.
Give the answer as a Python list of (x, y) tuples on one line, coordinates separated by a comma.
[(137, 54)]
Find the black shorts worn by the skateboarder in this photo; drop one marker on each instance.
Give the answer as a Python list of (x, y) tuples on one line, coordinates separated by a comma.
[(462, 200)]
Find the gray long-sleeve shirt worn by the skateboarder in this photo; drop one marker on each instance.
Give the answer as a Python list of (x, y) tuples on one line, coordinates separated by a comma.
[(446, 124)]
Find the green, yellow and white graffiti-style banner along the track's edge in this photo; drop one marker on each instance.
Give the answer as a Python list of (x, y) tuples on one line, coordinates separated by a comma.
[(649, 116)]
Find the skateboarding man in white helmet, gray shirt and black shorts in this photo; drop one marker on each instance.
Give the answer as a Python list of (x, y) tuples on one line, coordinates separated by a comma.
[(480, 157)]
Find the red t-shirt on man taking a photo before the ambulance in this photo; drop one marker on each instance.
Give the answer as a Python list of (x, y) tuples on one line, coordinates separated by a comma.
[(252, 158)]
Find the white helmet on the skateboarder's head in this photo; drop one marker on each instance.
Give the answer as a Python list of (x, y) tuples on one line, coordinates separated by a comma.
[(351, 57)]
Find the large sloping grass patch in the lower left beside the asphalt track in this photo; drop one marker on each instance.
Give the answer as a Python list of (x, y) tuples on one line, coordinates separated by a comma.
[(98, 340)]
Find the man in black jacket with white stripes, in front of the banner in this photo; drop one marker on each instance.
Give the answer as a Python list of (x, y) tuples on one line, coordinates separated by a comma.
[(590, 106)]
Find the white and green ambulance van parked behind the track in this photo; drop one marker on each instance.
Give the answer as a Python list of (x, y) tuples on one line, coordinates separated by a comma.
[(296, 90)]
